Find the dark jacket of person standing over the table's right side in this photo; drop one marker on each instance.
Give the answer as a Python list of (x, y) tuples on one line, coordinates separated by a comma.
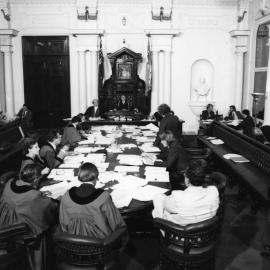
[(169, 122)]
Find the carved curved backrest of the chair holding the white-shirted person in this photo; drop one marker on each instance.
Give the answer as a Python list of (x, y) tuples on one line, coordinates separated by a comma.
[(190, 237)]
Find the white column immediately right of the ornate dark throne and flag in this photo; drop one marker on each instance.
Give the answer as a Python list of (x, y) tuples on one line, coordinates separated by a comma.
[(155, 87)]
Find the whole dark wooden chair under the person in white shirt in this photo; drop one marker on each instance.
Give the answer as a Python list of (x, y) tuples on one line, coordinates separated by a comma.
[(188, 247)]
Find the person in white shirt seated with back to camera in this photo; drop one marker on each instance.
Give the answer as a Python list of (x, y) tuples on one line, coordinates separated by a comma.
[(194, 204)]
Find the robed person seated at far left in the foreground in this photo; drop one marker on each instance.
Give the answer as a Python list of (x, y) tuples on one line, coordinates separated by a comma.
[(22, 203)]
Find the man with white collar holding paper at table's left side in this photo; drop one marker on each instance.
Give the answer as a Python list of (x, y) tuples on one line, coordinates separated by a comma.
[(49, 153)]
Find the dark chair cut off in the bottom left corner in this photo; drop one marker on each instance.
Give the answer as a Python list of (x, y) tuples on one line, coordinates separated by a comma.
[(13, 253)]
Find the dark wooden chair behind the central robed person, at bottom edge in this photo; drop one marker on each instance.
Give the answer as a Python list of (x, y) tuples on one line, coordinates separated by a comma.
[(75, 252)]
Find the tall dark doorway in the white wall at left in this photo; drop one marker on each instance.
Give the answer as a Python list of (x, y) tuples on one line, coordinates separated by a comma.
[(47, 79)]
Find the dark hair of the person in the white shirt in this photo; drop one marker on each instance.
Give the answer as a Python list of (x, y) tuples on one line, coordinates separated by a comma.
[(196, 173)]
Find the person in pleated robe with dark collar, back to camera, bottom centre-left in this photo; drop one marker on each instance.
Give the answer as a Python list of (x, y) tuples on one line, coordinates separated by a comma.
[(88, 211)]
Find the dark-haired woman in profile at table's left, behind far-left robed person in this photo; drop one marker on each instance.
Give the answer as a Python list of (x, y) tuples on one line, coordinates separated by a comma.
[(31, 155)]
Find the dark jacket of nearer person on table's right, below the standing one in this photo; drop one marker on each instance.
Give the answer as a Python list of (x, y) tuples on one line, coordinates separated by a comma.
[(176, 160)]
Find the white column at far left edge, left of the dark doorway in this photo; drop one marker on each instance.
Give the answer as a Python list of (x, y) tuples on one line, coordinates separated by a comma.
[(7, 50)]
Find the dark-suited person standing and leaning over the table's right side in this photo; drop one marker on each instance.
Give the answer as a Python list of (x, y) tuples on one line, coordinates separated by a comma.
[(168, 122)]
